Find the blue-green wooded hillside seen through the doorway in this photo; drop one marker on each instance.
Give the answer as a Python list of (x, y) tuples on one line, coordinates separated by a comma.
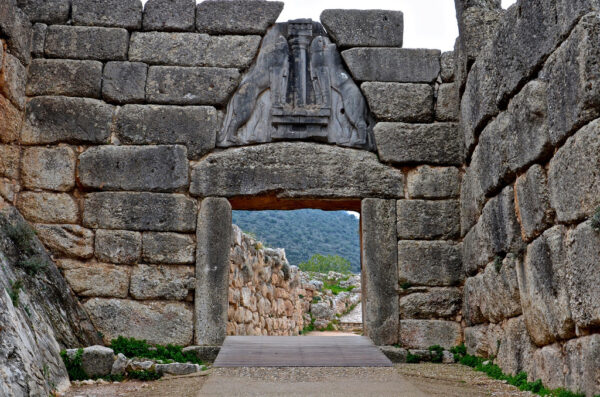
[(305, 232)]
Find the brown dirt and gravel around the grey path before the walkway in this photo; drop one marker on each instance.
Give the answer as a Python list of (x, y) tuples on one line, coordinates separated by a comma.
[(431, 379)]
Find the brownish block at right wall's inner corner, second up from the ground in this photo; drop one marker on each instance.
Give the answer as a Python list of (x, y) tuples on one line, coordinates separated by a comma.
[(493, 295)]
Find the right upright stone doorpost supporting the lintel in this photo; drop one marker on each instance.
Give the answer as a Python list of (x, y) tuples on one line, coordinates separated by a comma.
[(380, 271)]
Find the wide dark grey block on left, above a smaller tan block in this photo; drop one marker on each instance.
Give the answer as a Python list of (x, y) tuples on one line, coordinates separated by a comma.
[(62, 119)]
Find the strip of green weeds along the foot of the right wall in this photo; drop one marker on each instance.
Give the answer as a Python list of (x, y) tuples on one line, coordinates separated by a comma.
[(519, 380)]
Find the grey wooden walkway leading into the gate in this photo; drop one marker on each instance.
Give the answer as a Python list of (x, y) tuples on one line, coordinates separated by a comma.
[(300, 351)]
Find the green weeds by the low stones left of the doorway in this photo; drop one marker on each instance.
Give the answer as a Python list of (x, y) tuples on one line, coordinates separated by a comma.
[(132, 347)]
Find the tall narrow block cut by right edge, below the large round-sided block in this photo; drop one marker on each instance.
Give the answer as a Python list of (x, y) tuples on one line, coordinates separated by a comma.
[(583, 277)]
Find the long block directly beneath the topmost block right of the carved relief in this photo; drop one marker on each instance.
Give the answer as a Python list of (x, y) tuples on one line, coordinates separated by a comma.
[(402, 65)]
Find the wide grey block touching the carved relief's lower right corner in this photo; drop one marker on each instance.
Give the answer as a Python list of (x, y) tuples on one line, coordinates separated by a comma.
[(401, 143)]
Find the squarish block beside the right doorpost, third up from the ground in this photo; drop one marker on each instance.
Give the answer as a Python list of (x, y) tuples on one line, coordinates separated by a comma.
[(430, 263)]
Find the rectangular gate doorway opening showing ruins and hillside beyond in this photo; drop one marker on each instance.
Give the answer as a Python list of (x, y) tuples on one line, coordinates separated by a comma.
[(295, 272)]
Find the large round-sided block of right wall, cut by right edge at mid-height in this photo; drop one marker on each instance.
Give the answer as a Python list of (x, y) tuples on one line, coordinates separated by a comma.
[(574, 169)]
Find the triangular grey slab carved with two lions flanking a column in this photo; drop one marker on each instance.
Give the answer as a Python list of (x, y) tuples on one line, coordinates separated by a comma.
[(298, 89)]
